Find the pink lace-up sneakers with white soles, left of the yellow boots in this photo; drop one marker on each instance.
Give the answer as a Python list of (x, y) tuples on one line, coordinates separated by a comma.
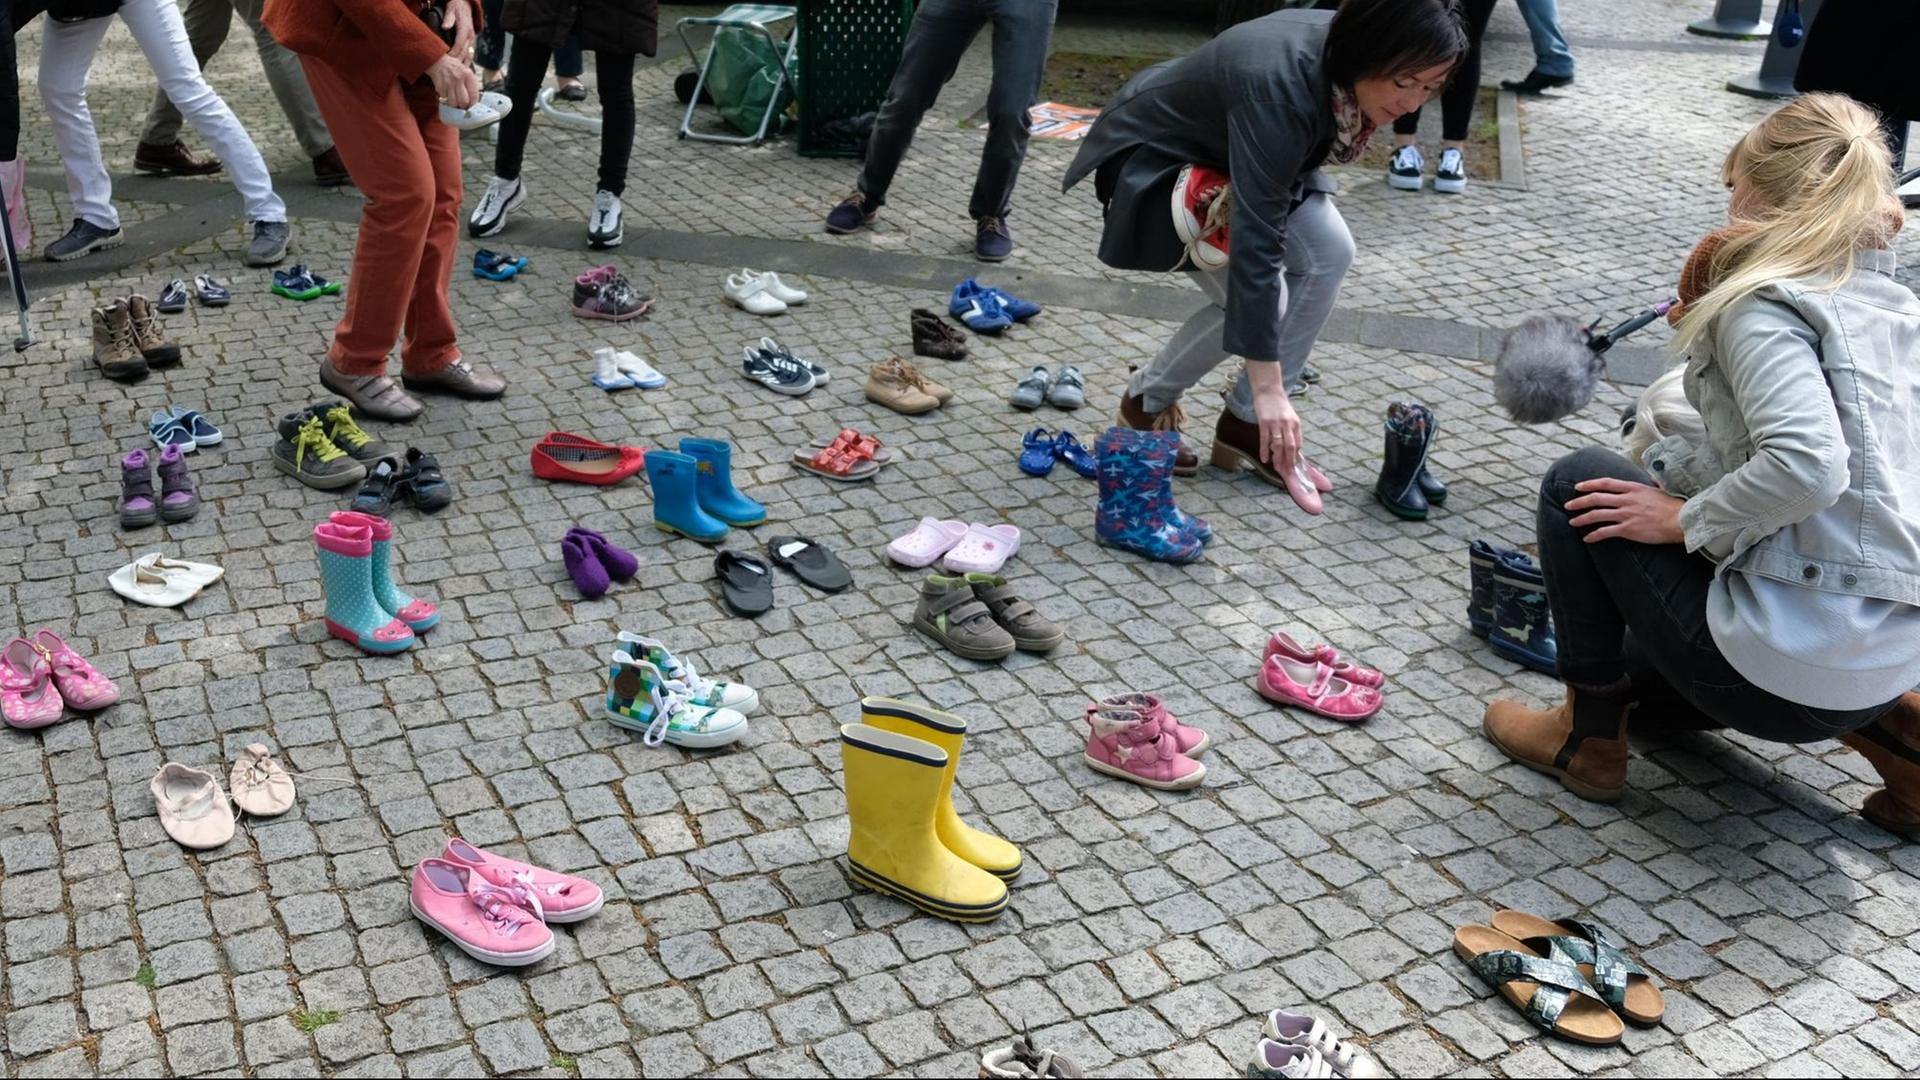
[(498, 910)]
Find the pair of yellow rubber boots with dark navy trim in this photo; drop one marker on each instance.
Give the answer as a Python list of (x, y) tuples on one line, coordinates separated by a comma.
[(905, 837)]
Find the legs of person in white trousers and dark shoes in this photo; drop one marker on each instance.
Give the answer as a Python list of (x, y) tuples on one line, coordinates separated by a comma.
[(68, 53)]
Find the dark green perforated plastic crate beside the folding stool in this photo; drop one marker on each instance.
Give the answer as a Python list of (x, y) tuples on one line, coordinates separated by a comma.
[(848, 57)]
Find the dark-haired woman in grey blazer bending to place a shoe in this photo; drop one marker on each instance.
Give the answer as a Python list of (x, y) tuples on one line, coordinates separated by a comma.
[(1266, 103)]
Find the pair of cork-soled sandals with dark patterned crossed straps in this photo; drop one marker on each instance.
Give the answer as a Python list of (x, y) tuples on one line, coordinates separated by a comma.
[(1568, 977)]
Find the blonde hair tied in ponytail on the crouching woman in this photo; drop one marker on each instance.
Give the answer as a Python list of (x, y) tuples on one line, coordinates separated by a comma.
[(1823, 180)]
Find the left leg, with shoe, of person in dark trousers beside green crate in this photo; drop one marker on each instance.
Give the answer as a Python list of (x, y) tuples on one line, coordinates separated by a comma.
[(938, 39)]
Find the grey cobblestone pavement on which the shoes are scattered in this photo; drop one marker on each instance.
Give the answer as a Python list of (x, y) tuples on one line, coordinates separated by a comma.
[(1320, 866)]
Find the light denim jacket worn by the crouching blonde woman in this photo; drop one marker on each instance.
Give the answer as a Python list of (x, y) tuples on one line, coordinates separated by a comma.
[(1812, 468)]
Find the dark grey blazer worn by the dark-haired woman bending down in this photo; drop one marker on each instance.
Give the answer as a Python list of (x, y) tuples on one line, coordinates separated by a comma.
[(1255, 103)]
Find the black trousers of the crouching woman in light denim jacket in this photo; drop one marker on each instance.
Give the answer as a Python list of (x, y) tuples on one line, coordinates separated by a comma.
[(1658, 593)]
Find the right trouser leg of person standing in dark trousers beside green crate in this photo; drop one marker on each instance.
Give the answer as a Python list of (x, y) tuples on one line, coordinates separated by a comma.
[(1022, 32)]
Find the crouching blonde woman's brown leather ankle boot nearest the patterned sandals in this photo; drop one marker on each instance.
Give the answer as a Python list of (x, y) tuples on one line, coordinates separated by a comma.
[(1585, 745)]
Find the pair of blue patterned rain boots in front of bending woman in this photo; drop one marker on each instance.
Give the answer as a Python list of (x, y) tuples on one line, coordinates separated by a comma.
[(1138, 497)]
